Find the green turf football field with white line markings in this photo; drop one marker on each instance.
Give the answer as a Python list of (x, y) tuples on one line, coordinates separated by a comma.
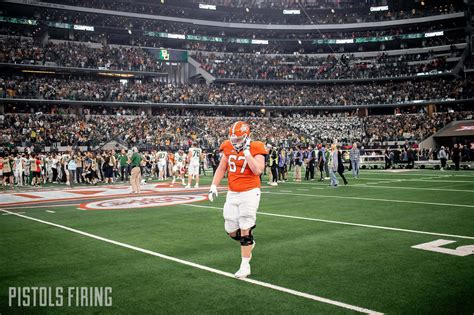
[(350, 245)]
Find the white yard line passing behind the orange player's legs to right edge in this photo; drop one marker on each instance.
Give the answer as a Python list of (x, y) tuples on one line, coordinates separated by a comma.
[(346, 223)]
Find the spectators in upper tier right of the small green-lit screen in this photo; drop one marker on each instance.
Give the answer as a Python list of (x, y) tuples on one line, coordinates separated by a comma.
[(346, 66)]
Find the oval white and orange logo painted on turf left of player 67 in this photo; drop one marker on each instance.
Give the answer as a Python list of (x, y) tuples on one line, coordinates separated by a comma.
[(141, 202)]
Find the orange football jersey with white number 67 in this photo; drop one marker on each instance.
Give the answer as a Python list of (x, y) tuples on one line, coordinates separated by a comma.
[(240, 176)]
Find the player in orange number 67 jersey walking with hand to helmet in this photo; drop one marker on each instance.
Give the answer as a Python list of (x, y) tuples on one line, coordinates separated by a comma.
[(244, 161)]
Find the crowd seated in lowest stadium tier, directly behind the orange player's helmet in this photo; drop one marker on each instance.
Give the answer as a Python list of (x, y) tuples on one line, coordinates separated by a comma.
[(165, 130)]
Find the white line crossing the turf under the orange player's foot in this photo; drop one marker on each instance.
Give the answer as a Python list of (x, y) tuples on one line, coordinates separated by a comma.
[(206, 268)]
